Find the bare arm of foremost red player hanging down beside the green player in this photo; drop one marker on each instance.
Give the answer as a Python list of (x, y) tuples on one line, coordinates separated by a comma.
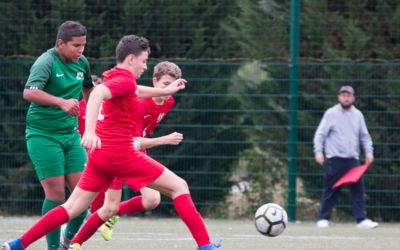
[(89, 139)]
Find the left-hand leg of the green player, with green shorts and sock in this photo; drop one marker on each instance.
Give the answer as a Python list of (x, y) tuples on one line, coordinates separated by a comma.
[(48, 159)]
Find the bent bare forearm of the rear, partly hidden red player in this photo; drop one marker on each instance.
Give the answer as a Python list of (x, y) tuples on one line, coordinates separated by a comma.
[(171, 139)]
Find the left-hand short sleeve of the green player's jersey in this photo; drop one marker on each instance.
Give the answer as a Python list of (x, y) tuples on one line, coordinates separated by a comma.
[(40, 72)]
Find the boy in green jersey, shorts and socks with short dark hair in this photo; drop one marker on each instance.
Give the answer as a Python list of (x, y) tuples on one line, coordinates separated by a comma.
[(56, 81)]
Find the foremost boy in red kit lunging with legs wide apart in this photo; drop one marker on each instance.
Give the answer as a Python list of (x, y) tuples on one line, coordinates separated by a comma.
[(113, 156)]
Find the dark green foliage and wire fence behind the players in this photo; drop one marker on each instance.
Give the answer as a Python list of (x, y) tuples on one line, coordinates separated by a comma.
[(234, 112)]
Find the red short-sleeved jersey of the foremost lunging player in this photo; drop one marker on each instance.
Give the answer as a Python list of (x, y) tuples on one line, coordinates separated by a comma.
[(118, 126)]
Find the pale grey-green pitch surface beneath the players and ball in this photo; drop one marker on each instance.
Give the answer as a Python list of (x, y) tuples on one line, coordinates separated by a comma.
[(170, 233)]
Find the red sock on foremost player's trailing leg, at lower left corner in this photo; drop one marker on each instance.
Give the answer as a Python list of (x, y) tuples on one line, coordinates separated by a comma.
[(50, 221)]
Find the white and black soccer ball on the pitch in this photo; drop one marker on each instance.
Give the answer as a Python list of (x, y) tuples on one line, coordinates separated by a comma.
[(270, 219)]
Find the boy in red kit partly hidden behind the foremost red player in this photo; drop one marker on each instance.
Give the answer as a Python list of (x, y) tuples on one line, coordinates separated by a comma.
[(151, 111)]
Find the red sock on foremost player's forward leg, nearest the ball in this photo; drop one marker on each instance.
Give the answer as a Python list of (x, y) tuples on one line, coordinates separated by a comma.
[(191, 217)]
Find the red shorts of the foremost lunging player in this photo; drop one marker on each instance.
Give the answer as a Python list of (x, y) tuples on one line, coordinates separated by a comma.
[(133, 167)]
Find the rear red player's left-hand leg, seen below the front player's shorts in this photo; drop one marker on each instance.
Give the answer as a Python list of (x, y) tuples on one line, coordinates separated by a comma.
[(98, 218)]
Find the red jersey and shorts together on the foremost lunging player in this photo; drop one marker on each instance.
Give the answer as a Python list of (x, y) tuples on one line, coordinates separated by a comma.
[(117, 157)]
